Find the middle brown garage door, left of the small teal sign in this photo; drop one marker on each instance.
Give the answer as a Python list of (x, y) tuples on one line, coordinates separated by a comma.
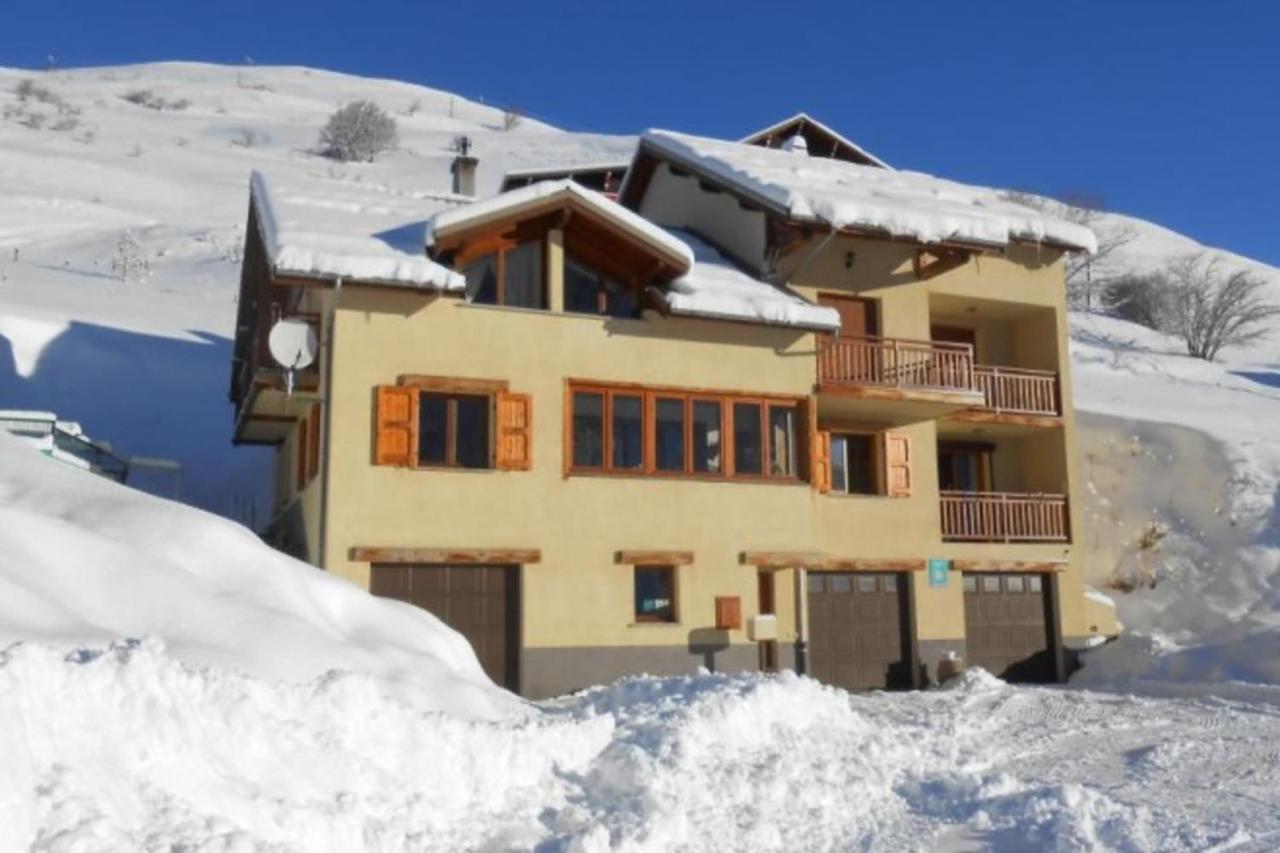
[(858, 631)]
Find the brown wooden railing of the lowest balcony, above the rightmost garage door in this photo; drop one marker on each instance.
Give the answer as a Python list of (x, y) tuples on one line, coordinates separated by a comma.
[(1004, 517)]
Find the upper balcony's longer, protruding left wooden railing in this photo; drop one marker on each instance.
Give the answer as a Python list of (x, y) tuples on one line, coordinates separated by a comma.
[(895, 363)]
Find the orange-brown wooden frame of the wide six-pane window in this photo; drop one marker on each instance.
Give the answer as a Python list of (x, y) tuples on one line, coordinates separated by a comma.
[(650, 464)]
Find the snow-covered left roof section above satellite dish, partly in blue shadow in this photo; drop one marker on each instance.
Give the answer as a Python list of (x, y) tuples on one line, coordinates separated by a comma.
[(346, 230)]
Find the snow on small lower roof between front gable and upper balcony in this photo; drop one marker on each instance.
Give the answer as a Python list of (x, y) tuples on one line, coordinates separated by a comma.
[(717, 289)]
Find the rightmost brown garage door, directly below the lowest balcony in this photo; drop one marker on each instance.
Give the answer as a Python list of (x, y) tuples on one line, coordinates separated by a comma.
[(1008, 626)]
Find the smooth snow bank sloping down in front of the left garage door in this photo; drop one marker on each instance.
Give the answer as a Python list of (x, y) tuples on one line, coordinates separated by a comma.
[(86, 562)]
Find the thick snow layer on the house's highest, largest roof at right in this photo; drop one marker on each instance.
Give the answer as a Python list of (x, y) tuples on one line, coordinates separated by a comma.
[(851, 197)]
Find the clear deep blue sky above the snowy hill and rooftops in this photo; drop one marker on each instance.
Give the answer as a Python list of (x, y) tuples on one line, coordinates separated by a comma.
[(1169, 111)]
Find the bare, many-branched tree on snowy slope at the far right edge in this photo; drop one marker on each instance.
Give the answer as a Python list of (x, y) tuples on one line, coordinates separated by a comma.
[(1213, 307)]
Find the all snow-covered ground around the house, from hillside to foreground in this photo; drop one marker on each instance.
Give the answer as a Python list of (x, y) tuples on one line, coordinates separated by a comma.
[(168, 683)]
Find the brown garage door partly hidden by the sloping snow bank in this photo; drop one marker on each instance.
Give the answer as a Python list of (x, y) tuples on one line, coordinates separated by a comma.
[(479, 603)]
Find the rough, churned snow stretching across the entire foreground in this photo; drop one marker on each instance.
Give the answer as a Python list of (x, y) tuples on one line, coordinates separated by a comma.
[(134, 750)]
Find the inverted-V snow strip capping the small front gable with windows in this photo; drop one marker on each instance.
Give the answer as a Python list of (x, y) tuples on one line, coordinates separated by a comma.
[(548, 194)]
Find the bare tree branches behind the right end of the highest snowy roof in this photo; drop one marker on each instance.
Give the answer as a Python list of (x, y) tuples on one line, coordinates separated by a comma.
[(1087, 276)]
